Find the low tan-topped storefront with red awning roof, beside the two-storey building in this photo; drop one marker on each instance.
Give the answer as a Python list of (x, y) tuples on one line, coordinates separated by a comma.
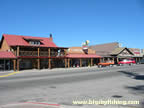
[(81, 57)]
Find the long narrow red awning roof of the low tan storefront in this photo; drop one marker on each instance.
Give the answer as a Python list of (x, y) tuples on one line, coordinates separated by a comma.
[(83, 56)]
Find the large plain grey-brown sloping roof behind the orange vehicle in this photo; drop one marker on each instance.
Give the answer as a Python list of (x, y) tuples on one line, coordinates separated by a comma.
[(104, 49)]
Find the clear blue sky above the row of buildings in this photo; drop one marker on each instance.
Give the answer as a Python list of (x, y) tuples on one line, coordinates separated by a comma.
[(71, 22)]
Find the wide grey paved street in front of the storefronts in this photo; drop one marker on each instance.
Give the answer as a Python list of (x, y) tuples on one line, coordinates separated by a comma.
[(63, 85)]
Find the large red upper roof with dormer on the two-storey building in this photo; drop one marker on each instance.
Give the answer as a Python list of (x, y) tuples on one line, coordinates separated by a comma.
[(19, 40)]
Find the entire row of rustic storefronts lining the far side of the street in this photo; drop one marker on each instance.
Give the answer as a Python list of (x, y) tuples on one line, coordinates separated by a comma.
[(18, 52)]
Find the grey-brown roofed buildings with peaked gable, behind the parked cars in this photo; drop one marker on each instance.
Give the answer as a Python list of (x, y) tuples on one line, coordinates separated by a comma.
[(114, 51)]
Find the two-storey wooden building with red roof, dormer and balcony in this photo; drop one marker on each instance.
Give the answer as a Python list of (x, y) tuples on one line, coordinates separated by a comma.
[(27, 52)]
